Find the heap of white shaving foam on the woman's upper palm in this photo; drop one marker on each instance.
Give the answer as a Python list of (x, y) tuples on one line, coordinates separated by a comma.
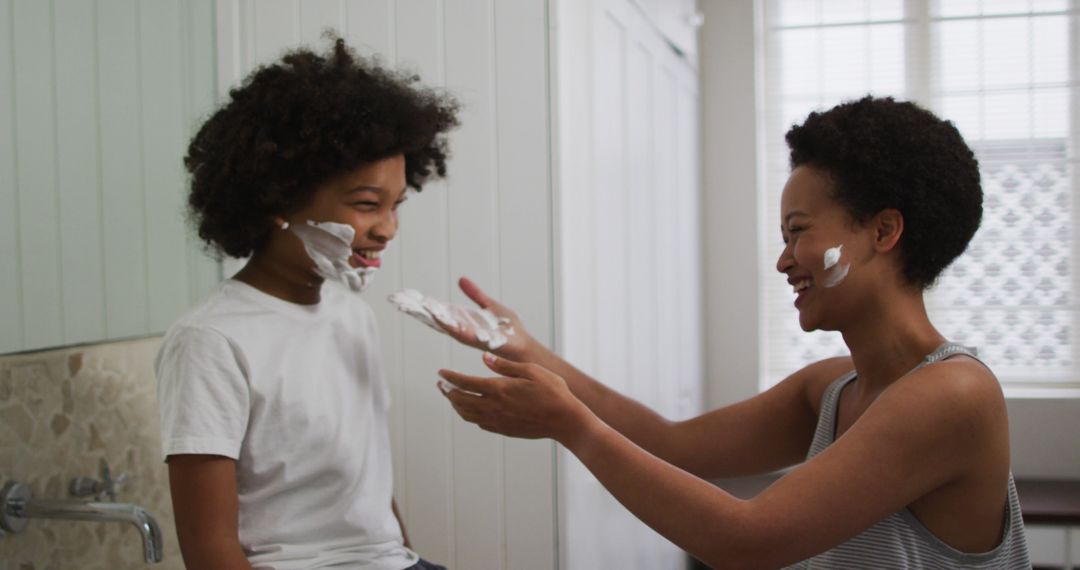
[(490, 330)]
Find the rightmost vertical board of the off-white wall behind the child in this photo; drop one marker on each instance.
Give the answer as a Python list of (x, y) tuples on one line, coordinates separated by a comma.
[(525, 256)]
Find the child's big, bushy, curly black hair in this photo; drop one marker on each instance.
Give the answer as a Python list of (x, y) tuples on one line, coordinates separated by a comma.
[(296, 124)]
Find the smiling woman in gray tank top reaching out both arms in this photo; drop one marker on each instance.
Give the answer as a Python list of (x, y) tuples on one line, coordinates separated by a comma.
[(903, 446)]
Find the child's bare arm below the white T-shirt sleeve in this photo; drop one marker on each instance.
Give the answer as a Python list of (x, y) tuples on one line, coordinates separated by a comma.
[(206, 507)]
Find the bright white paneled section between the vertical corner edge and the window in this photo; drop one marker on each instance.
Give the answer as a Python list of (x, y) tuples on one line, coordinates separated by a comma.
[(630, 249)]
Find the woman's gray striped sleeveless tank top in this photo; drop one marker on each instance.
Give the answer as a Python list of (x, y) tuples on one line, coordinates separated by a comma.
[(900, 541)]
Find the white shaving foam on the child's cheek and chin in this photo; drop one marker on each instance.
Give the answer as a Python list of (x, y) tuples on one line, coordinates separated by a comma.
[(330, 246)]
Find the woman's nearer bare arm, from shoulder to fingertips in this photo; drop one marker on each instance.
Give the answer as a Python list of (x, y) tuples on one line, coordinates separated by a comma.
[(919, 437)]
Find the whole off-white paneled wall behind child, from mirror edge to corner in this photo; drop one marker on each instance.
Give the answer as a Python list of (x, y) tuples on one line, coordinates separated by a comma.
[(470, 500)]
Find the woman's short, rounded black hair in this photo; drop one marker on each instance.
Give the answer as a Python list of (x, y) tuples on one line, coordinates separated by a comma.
[(883, 154)]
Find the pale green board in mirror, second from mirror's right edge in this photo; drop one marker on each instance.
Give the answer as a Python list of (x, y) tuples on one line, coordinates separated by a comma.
[(164, 138)]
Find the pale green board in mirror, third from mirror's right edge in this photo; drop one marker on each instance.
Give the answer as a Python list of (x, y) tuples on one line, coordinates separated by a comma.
[(123, 203)]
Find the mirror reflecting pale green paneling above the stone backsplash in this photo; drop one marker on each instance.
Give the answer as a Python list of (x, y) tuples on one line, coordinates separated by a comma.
[(99, 102)]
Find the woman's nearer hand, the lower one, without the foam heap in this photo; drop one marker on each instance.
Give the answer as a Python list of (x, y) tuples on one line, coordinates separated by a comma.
[(529, 401)]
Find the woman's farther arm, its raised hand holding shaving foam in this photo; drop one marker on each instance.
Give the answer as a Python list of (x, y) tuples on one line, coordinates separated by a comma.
[(762, 435)]
